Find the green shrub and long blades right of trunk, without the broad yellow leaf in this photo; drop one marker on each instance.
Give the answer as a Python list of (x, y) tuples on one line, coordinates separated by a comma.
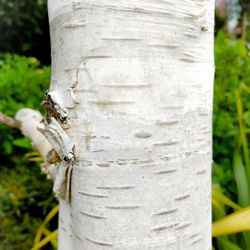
[(231, 129)]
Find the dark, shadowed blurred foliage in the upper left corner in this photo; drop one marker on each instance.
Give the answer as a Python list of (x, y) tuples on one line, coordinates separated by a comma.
[(24, 28)]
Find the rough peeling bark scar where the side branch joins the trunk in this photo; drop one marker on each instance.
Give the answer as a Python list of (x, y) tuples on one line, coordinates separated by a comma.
[(60, 159)]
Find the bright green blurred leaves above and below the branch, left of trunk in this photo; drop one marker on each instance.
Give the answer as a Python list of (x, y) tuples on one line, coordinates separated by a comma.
[(23, 82)]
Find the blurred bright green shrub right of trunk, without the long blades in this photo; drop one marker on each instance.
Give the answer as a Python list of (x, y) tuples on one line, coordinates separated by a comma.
[(232, 73)]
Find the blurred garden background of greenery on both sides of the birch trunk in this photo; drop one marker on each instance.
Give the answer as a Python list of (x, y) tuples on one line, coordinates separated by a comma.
[(28, 209)]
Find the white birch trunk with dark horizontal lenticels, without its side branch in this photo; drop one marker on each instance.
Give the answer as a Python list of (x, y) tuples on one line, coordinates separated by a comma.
[(131, 90)]
